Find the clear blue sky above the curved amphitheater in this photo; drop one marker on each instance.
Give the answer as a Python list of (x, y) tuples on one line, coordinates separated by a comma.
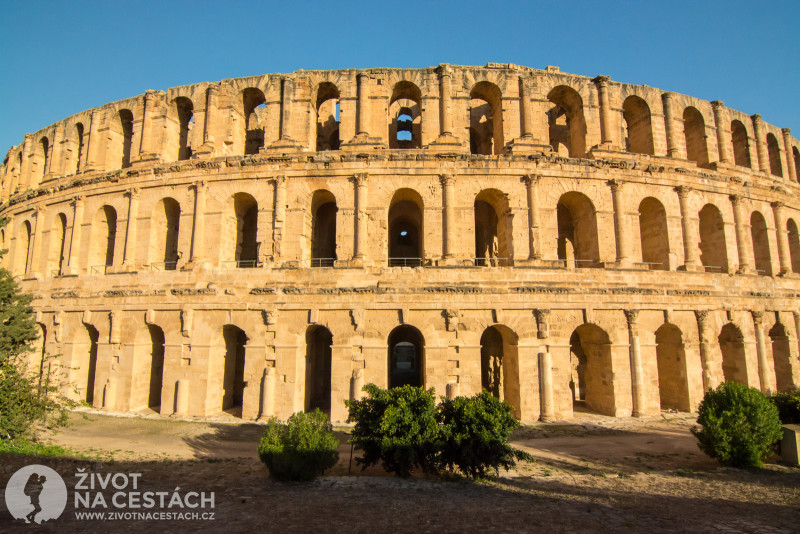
[(61, 57)]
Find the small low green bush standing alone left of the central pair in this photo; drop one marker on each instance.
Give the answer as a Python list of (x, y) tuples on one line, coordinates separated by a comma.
[(300, 450)]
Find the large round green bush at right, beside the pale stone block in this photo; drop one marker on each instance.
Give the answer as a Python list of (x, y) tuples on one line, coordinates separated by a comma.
[(739, 425)]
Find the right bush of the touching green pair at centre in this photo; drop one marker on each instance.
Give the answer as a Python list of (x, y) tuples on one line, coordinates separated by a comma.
[(476, 431)]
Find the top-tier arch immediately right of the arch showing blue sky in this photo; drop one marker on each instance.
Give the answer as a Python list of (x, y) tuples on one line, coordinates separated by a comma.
[(486, 119)]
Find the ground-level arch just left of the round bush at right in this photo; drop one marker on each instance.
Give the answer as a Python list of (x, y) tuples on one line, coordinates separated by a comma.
[(673, 387)]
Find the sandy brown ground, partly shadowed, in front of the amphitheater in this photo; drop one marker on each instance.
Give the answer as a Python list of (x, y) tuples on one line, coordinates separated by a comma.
[(595, 474)]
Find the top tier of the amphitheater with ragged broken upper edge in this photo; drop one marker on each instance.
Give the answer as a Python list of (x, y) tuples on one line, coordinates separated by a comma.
[(494, 110)]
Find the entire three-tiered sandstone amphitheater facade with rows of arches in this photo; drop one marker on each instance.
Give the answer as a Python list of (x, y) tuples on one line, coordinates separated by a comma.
[(269, 244)]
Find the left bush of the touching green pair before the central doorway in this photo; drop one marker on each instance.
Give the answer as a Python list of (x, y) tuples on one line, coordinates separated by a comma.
[(398, 427)]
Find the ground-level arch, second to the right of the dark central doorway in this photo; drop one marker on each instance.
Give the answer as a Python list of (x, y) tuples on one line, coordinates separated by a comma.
[(592, 377)]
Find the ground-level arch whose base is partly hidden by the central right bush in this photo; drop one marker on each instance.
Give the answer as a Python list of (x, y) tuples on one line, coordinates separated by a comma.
[(500, 365)]
